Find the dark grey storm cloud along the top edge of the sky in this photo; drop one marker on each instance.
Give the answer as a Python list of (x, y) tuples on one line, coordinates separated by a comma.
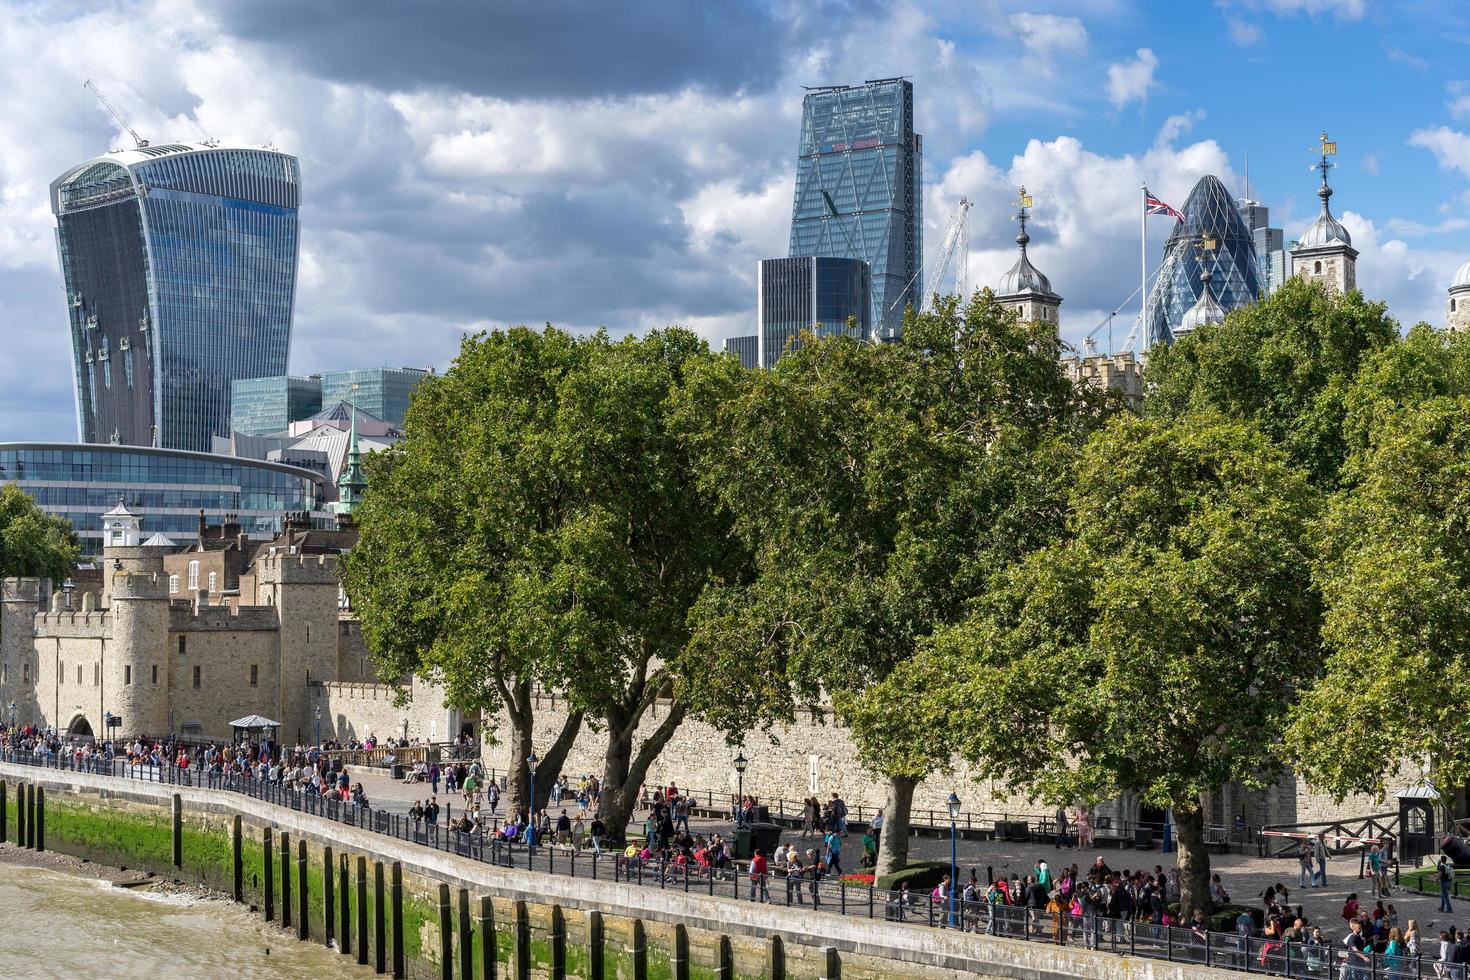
[(523, 49)]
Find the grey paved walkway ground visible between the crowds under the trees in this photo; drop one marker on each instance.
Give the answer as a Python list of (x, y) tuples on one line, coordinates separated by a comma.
[(1244, 876)]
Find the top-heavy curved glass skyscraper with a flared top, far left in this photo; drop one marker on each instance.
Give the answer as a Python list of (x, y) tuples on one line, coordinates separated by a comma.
[(180, 271)]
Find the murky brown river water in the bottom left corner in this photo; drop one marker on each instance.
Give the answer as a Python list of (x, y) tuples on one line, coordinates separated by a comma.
[(61, 926)]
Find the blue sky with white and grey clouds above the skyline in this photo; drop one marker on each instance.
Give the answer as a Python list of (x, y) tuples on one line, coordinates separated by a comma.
[(471, 165)]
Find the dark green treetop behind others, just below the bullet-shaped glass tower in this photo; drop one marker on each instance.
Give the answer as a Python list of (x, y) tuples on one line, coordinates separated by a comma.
[(1284, 364)]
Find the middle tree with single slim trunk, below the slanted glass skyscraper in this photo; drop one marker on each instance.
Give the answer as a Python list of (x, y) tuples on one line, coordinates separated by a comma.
[(877, 489)]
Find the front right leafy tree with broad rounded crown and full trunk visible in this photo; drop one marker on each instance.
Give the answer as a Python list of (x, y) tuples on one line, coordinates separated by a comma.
[(1156, 649)]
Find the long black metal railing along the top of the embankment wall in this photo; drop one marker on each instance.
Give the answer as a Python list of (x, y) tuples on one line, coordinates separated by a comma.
[(825, 894)]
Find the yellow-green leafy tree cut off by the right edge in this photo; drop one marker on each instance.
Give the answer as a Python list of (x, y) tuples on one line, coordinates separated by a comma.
[(1396, 580)]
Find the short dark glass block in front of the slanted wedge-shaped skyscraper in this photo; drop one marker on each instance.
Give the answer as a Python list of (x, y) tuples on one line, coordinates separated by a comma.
[(822, 296)]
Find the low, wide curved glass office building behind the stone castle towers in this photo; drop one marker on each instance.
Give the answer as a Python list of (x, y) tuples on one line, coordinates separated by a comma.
[(168, 489)]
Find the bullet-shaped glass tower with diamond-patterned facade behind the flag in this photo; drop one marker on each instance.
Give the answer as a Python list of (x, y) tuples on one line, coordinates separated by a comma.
[(1209, 212)]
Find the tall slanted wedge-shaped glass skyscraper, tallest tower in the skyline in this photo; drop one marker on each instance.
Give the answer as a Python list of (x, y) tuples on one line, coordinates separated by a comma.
[(861, 190)]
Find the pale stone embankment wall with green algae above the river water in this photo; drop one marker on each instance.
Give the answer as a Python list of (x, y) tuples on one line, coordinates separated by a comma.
[(286, 857)]
